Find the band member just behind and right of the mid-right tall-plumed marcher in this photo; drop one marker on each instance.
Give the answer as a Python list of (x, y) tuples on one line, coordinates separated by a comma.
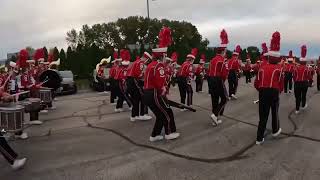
[(234, 69)]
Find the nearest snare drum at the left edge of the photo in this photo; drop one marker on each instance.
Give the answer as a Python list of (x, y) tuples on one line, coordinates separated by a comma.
[(12, 118)]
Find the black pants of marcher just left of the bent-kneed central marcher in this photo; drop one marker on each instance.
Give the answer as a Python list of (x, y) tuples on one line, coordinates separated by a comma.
[(135, 90)]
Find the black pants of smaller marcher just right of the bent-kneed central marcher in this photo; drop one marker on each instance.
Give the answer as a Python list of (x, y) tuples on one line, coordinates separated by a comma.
[(185, 90)]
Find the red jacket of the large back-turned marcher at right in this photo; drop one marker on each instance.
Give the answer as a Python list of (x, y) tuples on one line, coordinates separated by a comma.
[(270, 76)]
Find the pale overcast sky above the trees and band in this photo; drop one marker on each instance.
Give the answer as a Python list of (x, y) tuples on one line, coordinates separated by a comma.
[(38, 23)]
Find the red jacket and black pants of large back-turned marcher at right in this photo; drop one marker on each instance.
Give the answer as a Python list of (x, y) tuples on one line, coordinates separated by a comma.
[(269, 83)]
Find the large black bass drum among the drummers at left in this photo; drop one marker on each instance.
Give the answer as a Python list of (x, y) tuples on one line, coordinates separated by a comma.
[(52, 78)]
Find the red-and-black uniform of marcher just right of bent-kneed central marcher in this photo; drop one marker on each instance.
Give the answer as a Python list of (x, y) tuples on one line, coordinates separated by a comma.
[(185, 76)]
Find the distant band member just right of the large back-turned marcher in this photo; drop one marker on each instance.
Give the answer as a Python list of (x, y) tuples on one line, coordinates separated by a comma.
[(288, 73)]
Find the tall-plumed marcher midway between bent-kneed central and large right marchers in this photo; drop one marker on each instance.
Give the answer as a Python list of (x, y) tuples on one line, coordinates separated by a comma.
[(218, 72)]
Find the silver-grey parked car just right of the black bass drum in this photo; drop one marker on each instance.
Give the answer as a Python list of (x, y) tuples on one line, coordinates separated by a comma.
[(68, 85)]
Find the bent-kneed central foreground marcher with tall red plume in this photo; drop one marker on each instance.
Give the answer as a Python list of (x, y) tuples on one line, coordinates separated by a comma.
[(155, 90)]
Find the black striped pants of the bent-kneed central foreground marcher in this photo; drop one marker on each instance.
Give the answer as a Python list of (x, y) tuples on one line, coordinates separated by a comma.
[(162, 111)]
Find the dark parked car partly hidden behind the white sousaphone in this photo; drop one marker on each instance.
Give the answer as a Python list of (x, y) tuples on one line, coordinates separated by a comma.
[(98, 86)]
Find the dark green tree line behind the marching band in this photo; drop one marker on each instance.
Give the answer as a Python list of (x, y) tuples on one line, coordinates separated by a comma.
[(138, 34)]
